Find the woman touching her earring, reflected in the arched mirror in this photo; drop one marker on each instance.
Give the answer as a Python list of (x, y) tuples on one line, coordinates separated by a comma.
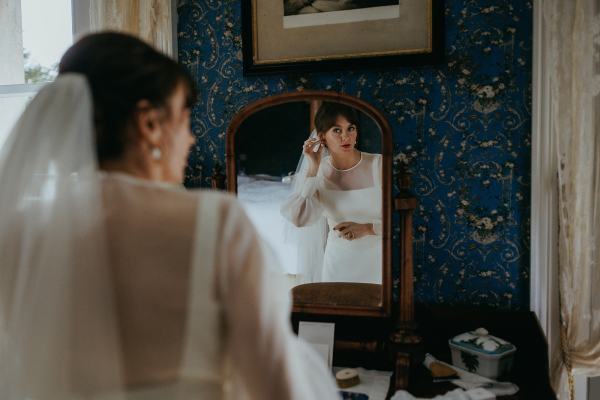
[(336, 202)]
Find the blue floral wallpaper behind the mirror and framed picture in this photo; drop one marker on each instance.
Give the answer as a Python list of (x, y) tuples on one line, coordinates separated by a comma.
[(462, 127)]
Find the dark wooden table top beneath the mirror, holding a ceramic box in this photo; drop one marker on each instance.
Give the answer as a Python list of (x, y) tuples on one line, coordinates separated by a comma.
[(365, 343)]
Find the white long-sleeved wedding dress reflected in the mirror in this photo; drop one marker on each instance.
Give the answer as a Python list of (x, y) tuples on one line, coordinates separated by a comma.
[(351, 195)]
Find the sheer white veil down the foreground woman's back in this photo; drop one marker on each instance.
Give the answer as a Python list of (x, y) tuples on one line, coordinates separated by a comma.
[(58, 337)]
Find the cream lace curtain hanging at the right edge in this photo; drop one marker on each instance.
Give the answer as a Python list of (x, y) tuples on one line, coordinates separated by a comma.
[(571, 35)]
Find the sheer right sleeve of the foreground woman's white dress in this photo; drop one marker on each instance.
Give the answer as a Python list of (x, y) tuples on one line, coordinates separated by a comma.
[(269, 359)]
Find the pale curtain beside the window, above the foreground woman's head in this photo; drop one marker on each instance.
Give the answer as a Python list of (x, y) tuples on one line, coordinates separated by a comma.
[(151, 20)]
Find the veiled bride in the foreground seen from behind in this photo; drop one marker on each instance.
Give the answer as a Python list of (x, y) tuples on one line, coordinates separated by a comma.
[(115, 282)]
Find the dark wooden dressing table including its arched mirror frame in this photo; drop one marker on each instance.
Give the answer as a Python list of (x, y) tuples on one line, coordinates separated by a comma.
[(371, 331)]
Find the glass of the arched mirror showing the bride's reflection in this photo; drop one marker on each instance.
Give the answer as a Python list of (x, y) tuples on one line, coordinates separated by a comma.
[(315, 196)]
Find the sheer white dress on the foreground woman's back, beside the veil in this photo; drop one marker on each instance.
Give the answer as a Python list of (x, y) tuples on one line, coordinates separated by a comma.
[(237, 342)]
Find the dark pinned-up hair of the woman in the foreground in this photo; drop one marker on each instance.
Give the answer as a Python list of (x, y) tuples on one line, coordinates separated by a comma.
[(122, 70)]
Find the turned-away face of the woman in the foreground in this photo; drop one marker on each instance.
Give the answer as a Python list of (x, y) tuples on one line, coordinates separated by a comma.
[(178, 138)]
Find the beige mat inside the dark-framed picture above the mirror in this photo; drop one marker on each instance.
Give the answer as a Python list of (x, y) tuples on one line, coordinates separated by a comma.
[(409, 33)]
